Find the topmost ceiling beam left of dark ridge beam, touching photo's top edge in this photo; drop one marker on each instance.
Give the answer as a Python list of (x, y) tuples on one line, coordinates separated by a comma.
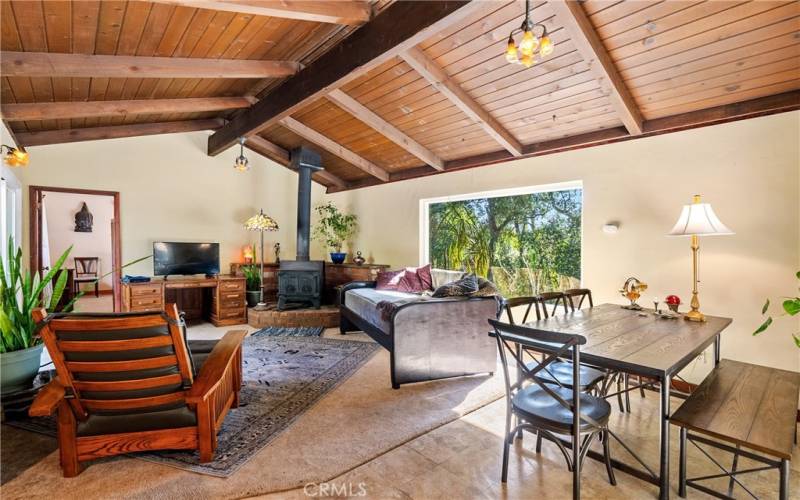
[(321, 11)]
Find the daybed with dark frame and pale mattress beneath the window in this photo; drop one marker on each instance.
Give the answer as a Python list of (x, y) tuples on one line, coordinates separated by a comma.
[(427, 338)]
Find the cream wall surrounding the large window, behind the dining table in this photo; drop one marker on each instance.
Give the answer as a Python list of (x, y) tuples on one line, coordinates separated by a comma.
[(748, 170)]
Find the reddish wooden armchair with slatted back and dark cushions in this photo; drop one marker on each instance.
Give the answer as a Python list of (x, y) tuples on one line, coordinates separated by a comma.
[(127, 383)]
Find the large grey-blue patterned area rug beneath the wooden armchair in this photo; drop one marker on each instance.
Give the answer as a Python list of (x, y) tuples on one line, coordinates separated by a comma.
[(284, 376)]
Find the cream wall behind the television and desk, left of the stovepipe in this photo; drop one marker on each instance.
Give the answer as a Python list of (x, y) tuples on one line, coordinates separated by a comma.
[(171, 190)]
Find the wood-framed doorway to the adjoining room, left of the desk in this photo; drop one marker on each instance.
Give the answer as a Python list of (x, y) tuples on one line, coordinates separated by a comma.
[(88, 220)]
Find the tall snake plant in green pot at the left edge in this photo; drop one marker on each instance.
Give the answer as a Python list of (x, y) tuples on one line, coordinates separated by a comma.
[(21, 293)]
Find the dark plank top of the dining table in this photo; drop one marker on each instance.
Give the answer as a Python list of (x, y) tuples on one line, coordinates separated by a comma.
[(635, 341)]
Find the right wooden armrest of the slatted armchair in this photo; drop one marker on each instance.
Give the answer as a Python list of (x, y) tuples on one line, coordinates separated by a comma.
[(217, 366)]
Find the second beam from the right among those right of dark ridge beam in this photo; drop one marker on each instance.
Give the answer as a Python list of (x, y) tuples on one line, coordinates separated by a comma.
[(437, 77)]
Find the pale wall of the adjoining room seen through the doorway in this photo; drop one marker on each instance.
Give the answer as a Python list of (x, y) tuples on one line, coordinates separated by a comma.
[(61, 209)]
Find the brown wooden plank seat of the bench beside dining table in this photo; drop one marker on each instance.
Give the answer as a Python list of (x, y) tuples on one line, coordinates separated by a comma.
[(750, 405)]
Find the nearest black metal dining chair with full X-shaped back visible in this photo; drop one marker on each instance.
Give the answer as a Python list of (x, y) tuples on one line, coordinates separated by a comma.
[(551, 409)]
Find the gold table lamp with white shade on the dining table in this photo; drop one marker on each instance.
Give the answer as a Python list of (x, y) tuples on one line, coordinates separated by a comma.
[(697, 219)]
